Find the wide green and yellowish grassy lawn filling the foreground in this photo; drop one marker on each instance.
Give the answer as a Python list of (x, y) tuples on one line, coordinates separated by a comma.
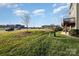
[(37, 43)]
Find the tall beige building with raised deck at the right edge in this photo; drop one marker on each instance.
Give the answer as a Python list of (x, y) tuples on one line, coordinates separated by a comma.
[(72, 22)]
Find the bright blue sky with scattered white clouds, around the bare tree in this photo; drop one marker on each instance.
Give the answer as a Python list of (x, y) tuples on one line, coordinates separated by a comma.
[(40, 13)]
